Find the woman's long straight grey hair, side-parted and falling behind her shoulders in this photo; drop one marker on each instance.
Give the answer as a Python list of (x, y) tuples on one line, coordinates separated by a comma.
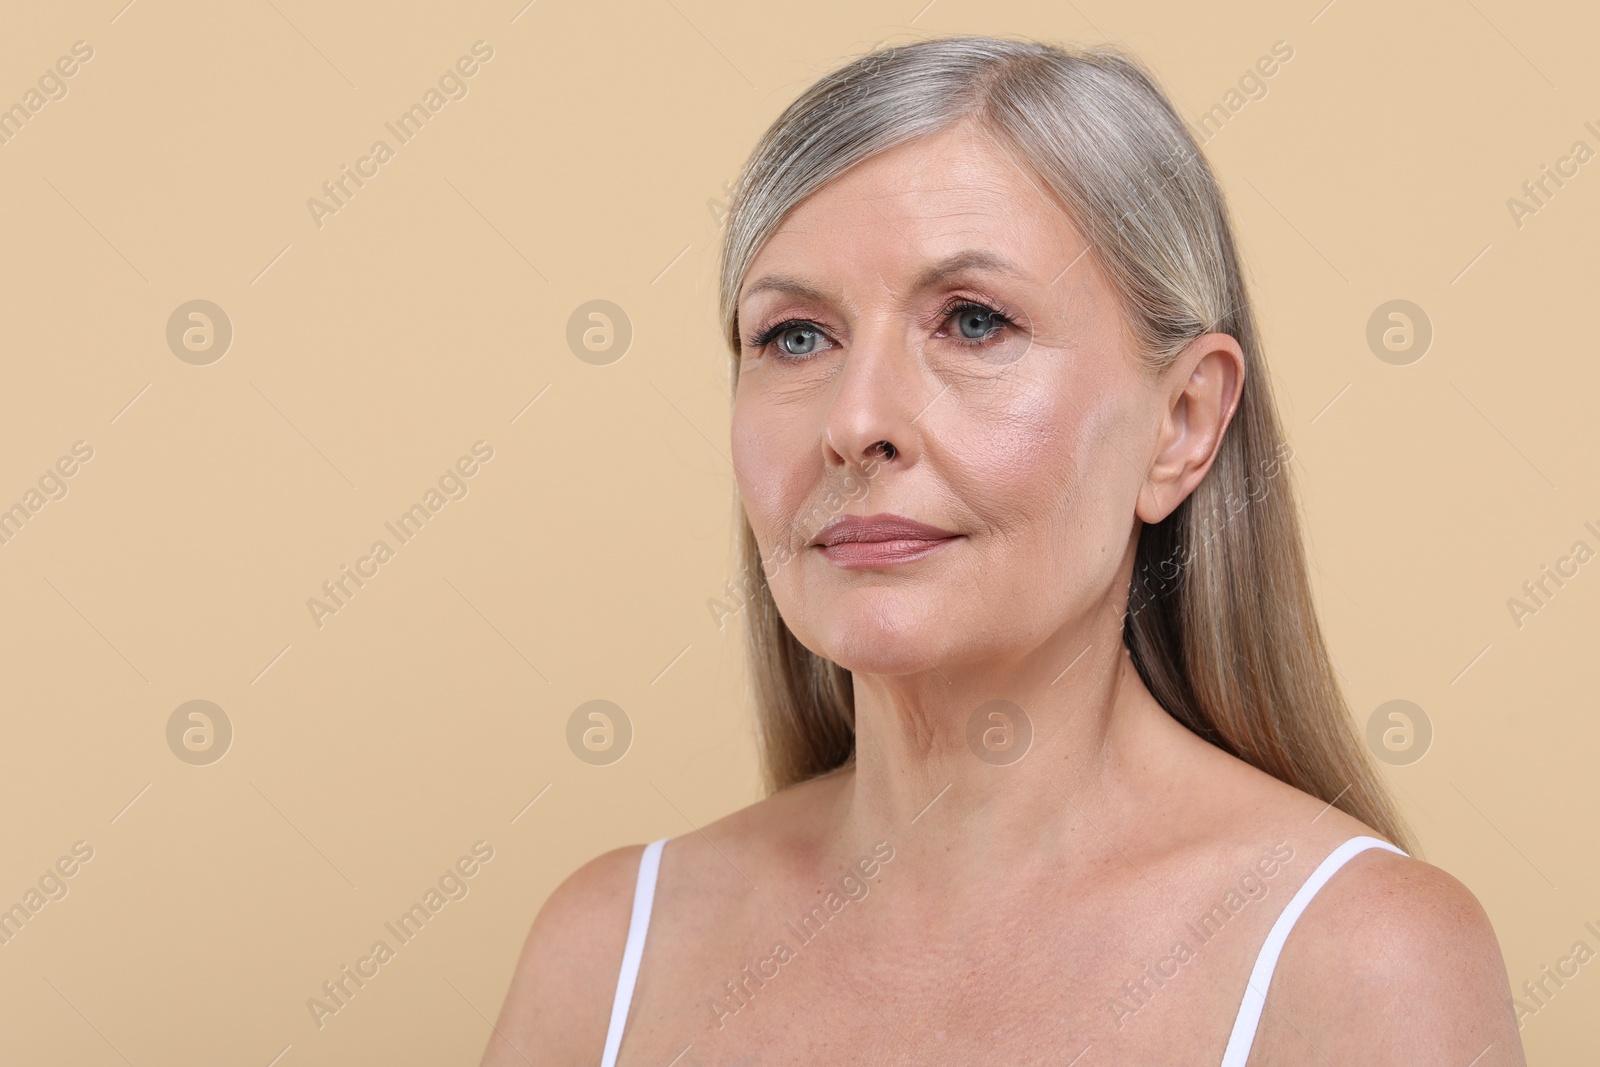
[(1220, 618)]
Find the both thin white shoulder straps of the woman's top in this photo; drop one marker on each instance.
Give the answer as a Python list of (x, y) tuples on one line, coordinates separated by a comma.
[(1239, 1042)]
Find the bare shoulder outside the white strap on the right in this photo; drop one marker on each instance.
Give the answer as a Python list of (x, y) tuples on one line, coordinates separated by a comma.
[(1393, 962)]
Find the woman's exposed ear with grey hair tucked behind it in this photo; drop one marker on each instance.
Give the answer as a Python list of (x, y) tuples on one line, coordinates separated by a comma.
[(1199, 393)]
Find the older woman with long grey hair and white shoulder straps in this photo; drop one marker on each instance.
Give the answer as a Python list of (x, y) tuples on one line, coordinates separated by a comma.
[(1058, 764)]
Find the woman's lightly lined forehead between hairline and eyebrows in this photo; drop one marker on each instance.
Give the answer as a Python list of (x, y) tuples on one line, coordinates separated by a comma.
[(894, 217)]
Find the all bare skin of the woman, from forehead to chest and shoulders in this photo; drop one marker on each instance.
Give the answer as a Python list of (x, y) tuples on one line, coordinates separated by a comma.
[(1022, 901)]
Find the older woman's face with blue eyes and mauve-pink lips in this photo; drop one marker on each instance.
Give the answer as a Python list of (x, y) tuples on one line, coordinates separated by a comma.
[(935, 298)]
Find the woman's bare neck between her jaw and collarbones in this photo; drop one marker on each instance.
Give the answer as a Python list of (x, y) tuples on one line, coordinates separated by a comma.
[(1002, 767)]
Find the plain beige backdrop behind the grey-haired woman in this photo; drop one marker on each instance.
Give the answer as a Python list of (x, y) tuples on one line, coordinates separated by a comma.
[(586, 164)]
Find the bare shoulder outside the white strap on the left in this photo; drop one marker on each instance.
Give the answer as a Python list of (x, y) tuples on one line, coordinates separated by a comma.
[(559, 1002)]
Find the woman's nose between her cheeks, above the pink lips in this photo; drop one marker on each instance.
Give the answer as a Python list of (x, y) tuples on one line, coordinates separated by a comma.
[(873, 415)]
